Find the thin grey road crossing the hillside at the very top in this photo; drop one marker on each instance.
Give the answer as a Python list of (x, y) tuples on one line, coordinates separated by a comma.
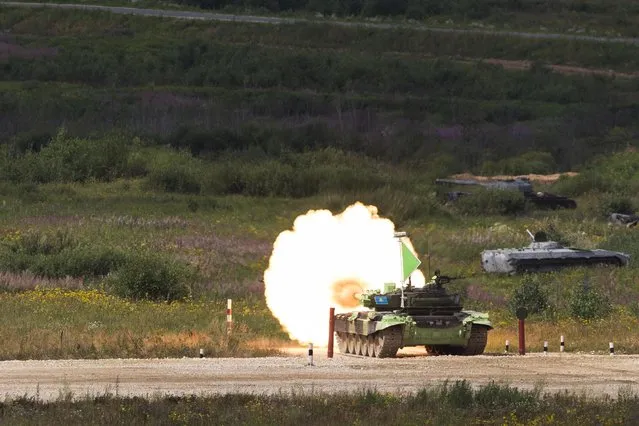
[(179, 14)]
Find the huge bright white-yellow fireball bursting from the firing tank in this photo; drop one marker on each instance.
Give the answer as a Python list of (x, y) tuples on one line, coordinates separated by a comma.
[(326, 261)]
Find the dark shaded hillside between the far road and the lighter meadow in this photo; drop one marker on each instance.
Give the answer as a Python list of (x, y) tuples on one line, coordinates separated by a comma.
[(301, 87)]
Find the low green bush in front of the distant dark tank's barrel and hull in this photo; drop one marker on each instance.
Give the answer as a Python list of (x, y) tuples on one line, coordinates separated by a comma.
[(491, 202)]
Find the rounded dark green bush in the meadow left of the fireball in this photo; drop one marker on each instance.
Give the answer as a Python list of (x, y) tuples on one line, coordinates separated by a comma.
[(150, 277)]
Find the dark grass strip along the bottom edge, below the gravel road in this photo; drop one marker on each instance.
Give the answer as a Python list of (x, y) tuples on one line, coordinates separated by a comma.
[(449, 404)]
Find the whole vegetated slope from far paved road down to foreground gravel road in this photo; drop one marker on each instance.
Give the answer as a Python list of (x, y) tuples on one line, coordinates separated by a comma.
[(148, 159)]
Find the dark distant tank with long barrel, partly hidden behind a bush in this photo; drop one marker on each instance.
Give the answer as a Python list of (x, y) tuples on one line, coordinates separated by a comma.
[(521, 184)]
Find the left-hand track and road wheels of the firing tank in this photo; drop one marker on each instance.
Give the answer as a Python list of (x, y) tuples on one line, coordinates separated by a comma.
[(381, 344)]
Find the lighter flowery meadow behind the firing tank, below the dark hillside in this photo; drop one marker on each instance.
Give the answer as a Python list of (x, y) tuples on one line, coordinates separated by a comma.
[(224, 242)]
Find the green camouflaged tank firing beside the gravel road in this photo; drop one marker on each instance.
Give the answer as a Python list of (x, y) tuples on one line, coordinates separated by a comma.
[(429, 316)]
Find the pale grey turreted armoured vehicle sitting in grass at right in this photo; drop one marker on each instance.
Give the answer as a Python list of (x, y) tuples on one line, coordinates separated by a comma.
[(544, 255)]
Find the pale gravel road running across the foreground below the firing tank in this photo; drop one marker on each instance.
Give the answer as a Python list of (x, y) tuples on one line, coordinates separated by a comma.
[(590, 374)]
